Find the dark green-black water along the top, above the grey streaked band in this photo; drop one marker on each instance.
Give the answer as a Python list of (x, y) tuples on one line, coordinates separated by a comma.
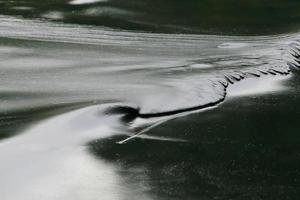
[(172, 16)]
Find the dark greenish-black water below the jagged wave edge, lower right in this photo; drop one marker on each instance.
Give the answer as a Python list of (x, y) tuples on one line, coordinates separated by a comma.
[(247, 148)]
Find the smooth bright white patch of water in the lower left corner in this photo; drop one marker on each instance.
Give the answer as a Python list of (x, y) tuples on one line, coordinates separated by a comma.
[(49, 161)]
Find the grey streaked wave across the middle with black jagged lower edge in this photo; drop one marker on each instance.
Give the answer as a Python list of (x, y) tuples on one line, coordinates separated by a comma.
[(166, 74)]
